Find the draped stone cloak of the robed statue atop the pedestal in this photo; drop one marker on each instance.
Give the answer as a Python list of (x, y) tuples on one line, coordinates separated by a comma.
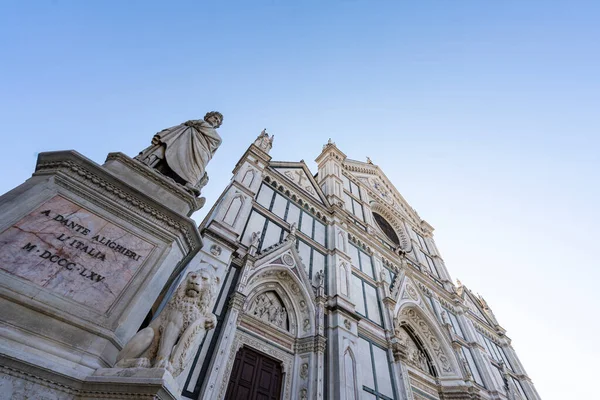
[(188, 148)]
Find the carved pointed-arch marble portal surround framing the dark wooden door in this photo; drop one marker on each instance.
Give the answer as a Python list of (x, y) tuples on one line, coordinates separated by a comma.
[(278, 273)]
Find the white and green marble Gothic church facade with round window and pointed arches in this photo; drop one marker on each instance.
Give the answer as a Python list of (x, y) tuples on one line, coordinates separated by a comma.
[(331, 287)]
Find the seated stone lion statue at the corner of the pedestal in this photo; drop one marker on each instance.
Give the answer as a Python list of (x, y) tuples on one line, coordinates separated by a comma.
[(173, 336)]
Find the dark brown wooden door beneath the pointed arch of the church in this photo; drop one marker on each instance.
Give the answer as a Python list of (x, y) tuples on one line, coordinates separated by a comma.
[(254, 377)]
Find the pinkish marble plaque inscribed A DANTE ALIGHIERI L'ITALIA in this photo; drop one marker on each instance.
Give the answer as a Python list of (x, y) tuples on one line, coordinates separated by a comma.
[(73, 252)]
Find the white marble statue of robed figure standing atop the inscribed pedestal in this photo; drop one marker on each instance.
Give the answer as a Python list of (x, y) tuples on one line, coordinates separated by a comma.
[(183, 151)]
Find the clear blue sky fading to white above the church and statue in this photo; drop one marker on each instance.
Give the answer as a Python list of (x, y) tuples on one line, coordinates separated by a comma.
[(485, 115)]
